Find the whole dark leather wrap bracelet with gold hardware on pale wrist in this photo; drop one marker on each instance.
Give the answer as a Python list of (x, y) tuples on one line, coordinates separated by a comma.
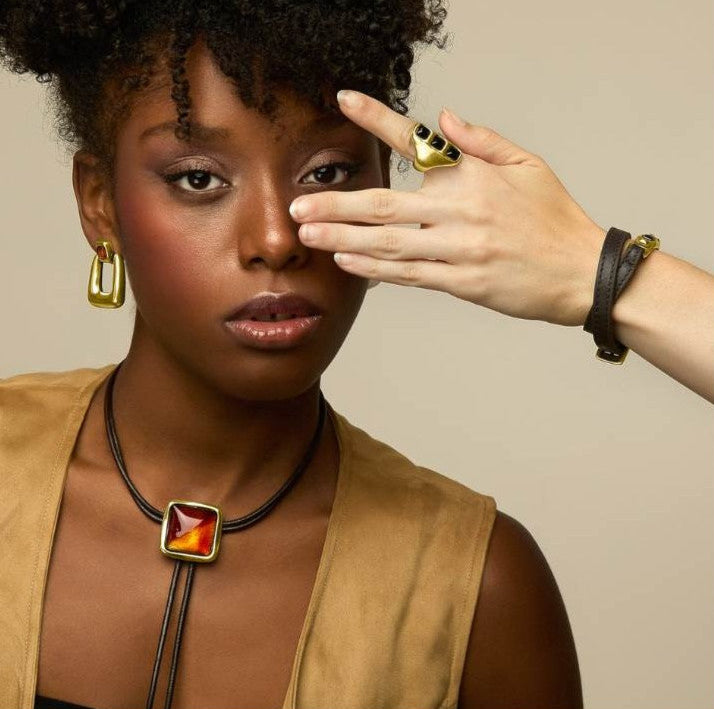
[(614, 273)]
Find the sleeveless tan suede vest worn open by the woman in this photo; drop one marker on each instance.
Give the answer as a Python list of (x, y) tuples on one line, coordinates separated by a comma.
[(388, 622)]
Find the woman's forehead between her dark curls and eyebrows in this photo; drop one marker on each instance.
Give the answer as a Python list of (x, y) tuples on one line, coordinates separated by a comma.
[(217, 113)]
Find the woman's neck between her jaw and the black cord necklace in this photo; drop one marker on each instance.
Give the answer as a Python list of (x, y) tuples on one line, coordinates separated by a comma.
[(182, 438)]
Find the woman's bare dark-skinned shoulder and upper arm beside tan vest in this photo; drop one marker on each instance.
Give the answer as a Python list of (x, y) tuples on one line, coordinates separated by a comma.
[(521, 651)]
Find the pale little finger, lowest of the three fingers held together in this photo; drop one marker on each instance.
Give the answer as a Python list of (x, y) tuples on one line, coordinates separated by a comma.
[(422, 274)]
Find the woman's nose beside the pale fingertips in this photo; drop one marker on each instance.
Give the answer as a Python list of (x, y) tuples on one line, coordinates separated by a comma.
[(268, 236)]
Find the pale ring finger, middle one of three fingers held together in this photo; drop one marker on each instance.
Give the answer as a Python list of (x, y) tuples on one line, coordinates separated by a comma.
[(383, 242)]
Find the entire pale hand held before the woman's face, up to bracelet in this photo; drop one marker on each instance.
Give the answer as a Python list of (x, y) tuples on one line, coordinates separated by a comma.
[(499, 229)]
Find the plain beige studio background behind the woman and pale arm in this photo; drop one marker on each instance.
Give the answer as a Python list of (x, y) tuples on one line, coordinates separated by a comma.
[(610, 468)]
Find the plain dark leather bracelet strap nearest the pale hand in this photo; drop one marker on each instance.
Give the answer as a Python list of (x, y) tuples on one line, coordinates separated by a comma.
[(599, 321)]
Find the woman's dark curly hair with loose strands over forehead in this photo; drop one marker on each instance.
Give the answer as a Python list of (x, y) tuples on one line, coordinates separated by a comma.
[(82, 47)]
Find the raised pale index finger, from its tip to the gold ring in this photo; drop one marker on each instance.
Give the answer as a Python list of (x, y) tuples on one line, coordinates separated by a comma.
[(378, 118)]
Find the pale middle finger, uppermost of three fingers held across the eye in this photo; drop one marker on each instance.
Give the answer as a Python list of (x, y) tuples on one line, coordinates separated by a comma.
[(375, 205)]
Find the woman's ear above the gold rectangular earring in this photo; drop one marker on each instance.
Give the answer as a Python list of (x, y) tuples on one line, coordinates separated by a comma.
[(93, 191)]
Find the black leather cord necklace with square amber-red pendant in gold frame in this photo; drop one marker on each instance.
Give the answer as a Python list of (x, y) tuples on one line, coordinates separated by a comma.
[(191, 533)]
